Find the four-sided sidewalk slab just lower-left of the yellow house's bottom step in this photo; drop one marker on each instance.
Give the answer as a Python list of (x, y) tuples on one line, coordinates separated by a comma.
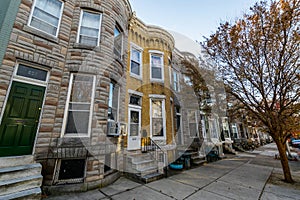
[(121, 185)]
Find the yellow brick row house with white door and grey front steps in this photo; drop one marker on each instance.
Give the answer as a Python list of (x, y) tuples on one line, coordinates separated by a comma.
[(149, 100)]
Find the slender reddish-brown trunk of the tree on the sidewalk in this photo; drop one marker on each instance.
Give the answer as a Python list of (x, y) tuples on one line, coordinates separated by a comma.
[(284, 161)]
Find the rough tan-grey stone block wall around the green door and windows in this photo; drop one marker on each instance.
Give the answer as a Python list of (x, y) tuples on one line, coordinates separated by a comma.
[(61, 55)]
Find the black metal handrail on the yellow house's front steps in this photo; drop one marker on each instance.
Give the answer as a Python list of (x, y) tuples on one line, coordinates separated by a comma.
[(149, 146)]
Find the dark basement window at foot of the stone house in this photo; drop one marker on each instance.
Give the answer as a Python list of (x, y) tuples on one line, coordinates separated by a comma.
[(71, 171)]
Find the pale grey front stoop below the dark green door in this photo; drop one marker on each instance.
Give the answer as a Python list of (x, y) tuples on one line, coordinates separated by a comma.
[(20, 178)]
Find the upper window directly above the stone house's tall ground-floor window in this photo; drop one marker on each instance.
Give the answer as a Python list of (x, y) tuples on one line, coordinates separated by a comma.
[(89, 29)]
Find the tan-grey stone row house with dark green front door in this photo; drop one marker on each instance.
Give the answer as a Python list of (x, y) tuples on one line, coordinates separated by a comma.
[(60, 65)]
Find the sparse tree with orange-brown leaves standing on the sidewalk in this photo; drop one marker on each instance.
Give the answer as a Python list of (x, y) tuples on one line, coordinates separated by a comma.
[(258, 57)]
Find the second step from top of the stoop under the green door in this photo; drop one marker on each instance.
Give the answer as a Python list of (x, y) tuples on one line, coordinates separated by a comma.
[(20, 171)]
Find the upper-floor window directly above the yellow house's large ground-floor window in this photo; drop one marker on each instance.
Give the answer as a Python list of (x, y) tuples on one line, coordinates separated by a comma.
[(157, 71)]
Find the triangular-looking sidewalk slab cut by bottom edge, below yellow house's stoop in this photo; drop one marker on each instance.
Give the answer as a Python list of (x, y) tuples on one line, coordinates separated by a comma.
[(142, 192)]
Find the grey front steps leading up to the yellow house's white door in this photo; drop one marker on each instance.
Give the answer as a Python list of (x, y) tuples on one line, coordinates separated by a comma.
[(142, 168)]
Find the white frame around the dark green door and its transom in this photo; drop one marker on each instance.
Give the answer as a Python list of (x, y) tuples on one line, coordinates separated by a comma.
[(31, 81)]
